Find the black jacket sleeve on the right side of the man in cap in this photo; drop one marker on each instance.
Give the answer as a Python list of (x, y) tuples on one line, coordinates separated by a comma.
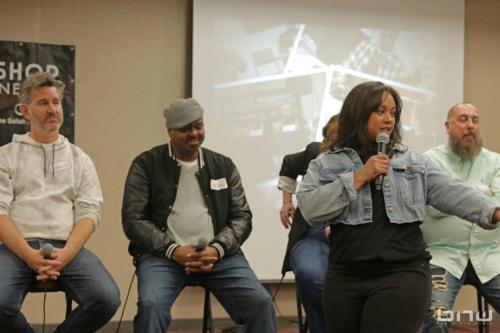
[(239, 224)]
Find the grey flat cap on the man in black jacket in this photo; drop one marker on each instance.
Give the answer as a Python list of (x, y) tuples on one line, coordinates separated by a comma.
[(182, 112)]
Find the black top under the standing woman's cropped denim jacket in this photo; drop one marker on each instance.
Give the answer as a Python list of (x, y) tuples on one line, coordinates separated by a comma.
[(378, 244)]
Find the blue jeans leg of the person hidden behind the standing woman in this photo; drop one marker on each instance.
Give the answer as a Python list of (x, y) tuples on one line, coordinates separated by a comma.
[(309, 261)]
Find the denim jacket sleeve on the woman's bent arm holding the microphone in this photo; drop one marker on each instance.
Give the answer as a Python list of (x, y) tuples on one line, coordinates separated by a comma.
[(321, 200)]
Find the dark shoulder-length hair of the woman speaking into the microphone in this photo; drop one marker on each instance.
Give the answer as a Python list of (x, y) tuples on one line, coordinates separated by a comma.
[(358, 105)]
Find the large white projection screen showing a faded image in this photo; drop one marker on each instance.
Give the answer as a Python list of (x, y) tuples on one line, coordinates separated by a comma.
[(271, 79)]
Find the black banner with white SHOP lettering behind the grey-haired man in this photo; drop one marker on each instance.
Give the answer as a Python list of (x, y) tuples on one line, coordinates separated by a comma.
[(17, 61)]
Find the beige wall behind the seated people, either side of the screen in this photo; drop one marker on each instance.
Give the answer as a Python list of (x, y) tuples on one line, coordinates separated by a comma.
[(132, 59)]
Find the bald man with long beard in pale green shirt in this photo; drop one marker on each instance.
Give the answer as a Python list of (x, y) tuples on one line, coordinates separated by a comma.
[(461, 251)]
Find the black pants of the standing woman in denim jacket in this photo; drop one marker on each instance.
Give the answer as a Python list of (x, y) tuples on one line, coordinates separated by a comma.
[(390, 302)]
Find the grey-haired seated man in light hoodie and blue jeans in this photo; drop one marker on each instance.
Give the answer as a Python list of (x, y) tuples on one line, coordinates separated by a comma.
[(50, 194)]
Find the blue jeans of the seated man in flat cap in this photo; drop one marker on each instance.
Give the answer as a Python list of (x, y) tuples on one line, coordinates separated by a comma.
[(231, 280)]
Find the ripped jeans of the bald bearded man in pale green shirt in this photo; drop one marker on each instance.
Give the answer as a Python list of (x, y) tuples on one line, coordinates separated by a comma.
[(445, 288)]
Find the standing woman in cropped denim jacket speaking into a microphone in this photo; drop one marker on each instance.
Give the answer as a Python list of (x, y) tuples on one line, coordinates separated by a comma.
[(378, 277)]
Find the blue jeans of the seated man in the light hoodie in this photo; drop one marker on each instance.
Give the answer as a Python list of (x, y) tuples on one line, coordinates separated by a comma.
[(85, 279)]
